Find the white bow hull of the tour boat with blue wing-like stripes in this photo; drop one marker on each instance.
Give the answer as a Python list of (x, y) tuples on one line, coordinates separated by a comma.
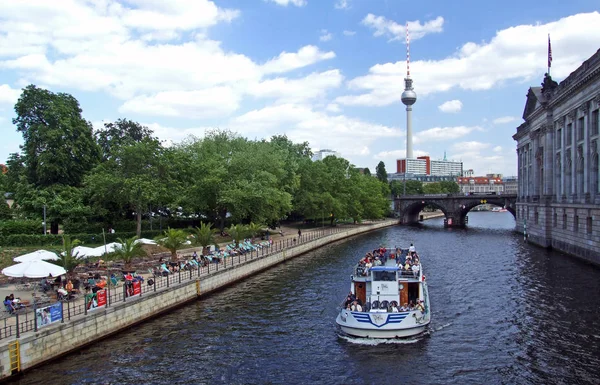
[(382, 325)]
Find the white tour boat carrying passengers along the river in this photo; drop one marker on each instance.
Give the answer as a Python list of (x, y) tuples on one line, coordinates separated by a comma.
[(377, 290)]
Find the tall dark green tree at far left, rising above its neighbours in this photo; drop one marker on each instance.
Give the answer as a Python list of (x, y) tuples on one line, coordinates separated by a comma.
[(59, 146)]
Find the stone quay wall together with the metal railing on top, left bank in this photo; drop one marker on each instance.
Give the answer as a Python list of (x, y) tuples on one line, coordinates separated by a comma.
[(27, 344)]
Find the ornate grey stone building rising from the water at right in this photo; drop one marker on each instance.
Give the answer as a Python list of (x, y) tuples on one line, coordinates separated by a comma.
[(558, 200)]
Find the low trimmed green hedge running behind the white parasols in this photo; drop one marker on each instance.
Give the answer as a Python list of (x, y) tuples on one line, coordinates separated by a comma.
[(19, 240)]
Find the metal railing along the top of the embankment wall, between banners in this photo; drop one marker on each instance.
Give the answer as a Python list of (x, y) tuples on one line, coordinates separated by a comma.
[(21, 322)]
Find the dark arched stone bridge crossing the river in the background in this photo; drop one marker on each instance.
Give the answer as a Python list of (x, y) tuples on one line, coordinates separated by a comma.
[(454, 206)]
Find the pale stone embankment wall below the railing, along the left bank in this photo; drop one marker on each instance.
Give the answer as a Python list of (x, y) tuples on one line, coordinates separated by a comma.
[(58, 339)]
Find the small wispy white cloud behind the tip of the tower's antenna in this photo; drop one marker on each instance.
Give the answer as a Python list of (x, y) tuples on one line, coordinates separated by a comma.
[(395, 31)]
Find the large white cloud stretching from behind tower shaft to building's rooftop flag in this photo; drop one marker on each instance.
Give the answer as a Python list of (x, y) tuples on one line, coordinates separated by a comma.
[(487, 64)]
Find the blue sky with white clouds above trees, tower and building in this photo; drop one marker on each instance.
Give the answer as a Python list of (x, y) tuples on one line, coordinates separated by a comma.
[(329, 72)]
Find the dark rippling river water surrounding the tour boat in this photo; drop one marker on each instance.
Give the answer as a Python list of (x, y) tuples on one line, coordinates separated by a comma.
[(504, 312)]
